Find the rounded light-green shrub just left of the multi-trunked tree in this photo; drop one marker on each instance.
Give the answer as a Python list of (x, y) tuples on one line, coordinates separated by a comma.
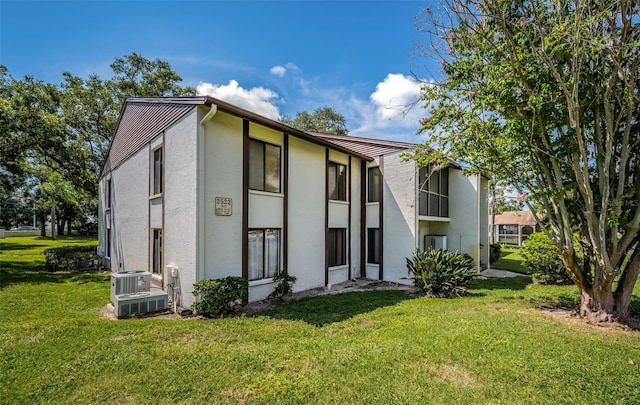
[(542, 258)]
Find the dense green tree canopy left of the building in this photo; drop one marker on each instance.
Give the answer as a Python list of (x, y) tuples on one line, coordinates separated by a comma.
[(64, 130)]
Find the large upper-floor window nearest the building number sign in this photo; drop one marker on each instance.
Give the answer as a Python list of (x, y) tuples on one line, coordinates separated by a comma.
[(264, 166)]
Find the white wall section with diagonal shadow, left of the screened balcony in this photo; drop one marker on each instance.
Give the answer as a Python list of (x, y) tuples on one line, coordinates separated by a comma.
[(399, 220)]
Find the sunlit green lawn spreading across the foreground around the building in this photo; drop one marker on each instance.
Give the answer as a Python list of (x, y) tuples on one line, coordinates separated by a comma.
[(376, 347)]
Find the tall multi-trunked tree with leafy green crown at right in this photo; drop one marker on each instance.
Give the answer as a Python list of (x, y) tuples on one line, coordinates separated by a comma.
[(544, 94)]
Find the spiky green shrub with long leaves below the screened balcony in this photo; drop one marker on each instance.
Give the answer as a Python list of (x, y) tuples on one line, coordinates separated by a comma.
[(441, 273)]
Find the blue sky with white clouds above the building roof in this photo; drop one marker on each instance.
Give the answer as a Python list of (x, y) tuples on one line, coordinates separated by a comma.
[(275, 58)]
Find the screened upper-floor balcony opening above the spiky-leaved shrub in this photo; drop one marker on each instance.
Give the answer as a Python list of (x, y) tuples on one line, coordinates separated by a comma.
[(434, 192)]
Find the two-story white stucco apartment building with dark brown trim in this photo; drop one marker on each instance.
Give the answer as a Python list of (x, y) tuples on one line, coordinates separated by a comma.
[(212, 190)]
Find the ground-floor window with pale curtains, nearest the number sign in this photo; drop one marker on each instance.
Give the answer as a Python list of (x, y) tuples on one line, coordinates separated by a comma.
[(264, 253)]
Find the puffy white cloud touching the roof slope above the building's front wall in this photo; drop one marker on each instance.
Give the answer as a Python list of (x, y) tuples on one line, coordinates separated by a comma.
[(259, 100)]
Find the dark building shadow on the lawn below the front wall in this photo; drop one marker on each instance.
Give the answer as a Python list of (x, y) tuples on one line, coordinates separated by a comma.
[(327, 309)]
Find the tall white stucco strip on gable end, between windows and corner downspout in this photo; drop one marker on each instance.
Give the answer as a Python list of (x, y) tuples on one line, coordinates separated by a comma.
[(179, 200)]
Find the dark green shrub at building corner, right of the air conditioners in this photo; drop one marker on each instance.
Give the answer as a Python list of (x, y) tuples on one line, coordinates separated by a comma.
[(220, 296)]
